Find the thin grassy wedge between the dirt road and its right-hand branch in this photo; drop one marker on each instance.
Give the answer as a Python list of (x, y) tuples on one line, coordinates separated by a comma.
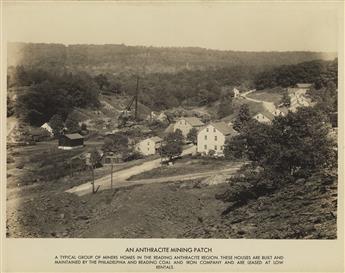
[(184, 166)]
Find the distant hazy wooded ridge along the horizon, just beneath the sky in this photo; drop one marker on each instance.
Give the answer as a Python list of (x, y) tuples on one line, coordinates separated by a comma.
[(112, 58)]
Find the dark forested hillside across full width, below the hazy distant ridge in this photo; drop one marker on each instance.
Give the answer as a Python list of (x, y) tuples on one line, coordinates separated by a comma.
[(63, 90)]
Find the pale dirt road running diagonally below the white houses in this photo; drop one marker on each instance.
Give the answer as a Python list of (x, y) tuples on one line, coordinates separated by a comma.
[(122, 176)]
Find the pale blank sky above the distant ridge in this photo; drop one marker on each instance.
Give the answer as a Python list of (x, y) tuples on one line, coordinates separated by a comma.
[(247, 26)]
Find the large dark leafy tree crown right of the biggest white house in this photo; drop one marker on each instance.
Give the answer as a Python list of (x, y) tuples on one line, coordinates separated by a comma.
[(294, 145)]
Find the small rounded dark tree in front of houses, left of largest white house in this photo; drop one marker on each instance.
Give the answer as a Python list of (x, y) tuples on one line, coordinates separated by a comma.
[(173, 146)]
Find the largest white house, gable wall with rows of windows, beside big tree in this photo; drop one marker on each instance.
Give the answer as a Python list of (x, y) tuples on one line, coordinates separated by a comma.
[(212, 138)]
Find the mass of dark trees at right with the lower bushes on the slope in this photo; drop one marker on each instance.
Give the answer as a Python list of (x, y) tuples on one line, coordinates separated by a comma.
[(293, 147)]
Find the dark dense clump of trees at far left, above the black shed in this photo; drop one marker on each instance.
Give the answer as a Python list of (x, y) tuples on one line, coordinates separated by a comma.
[(52, 94)]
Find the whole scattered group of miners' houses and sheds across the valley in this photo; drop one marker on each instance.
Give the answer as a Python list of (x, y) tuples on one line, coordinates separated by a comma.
[(210, 137)]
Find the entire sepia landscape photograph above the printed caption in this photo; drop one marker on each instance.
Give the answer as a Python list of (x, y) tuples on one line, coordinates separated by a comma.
[(187, 121)]
